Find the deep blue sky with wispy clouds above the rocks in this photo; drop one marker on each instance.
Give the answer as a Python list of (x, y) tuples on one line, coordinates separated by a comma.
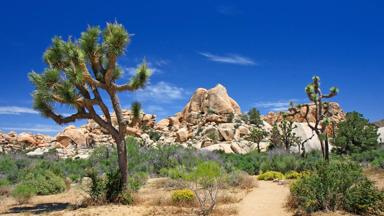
[(264, 52)]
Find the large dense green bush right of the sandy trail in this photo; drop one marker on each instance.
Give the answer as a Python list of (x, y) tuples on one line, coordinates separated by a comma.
[(337, 185)]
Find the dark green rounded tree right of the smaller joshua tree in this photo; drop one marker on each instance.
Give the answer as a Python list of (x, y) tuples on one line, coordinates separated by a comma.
[(355, 134)]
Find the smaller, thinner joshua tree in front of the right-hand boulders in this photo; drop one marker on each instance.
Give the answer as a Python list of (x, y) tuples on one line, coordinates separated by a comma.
[(323, 112)]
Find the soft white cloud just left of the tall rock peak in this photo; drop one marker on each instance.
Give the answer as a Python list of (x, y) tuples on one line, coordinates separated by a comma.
[(161, 92)]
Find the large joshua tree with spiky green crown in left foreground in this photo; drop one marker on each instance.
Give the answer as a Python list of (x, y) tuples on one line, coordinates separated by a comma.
[(82, 74)]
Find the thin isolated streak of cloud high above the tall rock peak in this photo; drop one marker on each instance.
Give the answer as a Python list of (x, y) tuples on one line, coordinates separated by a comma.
[(229, 58)]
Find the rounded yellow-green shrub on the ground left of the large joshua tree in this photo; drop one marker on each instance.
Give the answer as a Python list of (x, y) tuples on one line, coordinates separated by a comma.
[(44, 182)]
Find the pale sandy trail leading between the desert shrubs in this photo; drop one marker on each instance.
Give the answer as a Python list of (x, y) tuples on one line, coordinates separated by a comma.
[(267, 199)]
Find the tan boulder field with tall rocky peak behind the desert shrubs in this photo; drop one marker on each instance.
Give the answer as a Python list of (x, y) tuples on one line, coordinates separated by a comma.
[(211, 120)]
